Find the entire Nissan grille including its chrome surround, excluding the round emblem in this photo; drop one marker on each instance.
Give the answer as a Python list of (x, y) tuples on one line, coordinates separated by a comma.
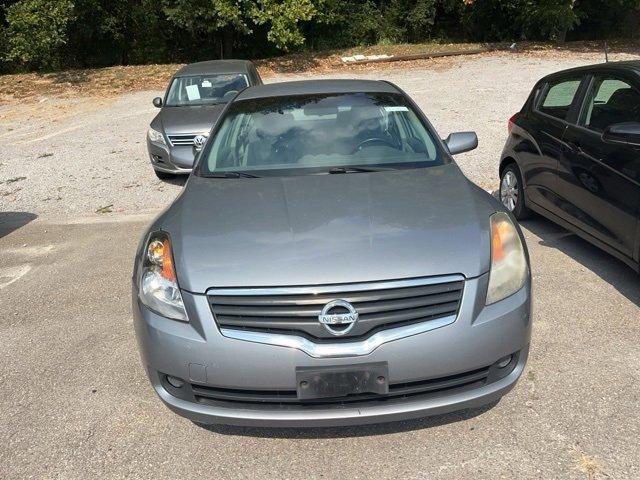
[(288, 316)]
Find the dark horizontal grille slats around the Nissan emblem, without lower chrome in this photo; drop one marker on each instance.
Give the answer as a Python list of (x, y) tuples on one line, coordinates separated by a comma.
[(380, 306)]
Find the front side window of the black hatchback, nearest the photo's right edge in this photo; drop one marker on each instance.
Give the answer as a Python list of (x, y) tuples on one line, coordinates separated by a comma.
[(611, 101)]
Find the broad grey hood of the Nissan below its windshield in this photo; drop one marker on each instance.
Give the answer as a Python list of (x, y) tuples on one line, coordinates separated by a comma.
[(327, 229)]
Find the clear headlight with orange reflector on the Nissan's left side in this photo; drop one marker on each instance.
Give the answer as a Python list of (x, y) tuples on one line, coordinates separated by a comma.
[(158, 284)]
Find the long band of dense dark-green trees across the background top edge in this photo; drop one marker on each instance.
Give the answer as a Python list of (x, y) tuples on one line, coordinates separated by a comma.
[(49, 34)]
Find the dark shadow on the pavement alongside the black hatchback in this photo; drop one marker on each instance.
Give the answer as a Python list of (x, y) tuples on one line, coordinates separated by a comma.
[(606, 266)]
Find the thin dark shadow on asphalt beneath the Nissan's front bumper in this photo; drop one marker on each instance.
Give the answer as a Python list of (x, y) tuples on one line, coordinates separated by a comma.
[(350, 431)]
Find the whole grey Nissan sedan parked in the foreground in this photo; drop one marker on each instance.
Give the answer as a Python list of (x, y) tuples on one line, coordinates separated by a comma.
[(327, 263)]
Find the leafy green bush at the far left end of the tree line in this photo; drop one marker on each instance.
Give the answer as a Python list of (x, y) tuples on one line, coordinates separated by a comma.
[(36, 32)]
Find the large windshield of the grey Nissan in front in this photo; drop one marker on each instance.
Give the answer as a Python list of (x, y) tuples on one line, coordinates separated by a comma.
[(315, 133)]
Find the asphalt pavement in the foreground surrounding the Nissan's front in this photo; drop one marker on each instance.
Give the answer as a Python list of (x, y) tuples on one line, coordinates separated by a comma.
[(75, 402)]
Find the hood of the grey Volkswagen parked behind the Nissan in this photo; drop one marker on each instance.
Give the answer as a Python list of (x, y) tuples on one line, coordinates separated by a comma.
[(197, 119)]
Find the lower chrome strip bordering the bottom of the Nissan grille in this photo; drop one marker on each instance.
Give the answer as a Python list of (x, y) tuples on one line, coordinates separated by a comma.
[(332, 350)]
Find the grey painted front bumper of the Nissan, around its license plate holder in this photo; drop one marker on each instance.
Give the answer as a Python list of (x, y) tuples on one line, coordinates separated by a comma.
[(198, 353)]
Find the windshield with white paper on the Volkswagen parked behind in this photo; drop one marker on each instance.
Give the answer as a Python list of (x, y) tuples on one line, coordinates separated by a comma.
[(205, 89)]
